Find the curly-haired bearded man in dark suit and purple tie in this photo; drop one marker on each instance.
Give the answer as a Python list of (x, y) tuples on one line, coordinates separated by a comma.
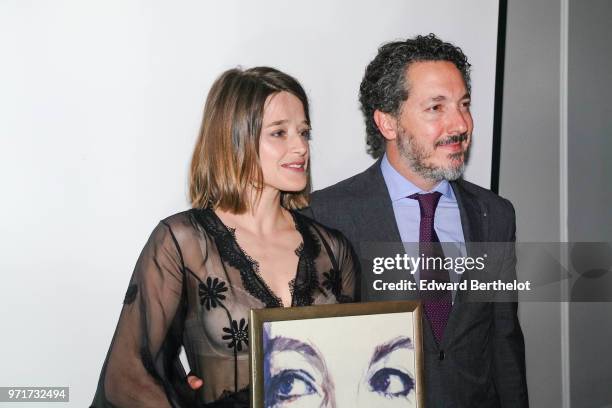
[(415, 99)]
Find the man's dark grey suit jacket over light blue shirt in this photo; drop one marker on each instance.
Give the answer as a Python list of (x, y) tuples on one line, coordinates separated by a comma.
[(481, 359)]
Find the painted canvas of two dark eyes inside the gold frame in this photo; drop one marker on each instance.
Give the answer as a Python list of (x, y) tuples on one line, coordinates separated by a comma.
[(360, 361)]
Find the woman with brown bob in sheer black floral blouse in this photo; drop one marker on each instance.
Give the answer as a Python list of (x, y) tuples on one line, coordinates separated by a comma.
[(242, 246)]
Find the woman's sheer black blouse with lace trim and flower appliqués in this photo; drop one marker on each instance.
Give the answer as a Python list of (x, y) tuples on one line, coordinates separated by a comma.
[(193, 286)]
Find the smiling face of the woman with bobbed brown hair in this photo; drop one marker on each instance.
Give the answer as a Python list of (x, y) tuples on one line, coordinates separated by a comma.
[(283, 143)]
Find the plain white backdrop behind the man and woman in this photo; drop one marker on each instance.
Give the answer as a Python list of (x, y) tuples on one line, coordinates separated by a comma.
[(100, 104)]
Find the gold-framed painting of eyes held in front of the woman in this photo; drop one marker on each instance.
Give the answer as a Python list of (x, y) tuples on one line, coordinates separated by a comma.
[(280, 337)]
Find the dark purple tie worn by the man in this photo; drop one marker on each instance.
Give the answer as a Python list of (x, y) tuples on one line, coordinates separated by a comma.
[(436, 304)]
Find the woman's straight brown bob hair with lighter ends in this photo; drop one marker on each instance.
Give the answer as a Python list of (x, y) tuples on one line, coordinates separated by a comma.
[(225, 160)]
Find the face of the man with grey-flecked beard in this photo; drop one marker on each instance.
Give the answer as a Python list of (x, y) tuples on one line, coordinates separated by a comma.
[(435, 125)]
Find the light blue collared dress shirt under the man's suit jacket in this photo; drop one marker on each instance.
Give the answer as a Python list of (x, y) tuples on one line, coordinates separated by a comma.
[(447, 220)]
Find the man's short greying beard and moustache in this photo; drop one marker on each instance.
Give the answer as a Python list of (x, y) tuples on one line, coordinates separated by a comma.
[(416, 156)]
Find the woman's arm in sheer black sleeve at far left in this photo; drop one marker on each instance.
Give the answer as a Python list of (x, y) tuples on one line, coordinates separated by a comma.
[(142, 364)]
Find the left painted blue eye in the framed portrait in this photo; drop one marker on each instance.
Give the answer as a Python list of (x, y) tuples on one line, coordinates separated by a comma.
[(289, 385)]
